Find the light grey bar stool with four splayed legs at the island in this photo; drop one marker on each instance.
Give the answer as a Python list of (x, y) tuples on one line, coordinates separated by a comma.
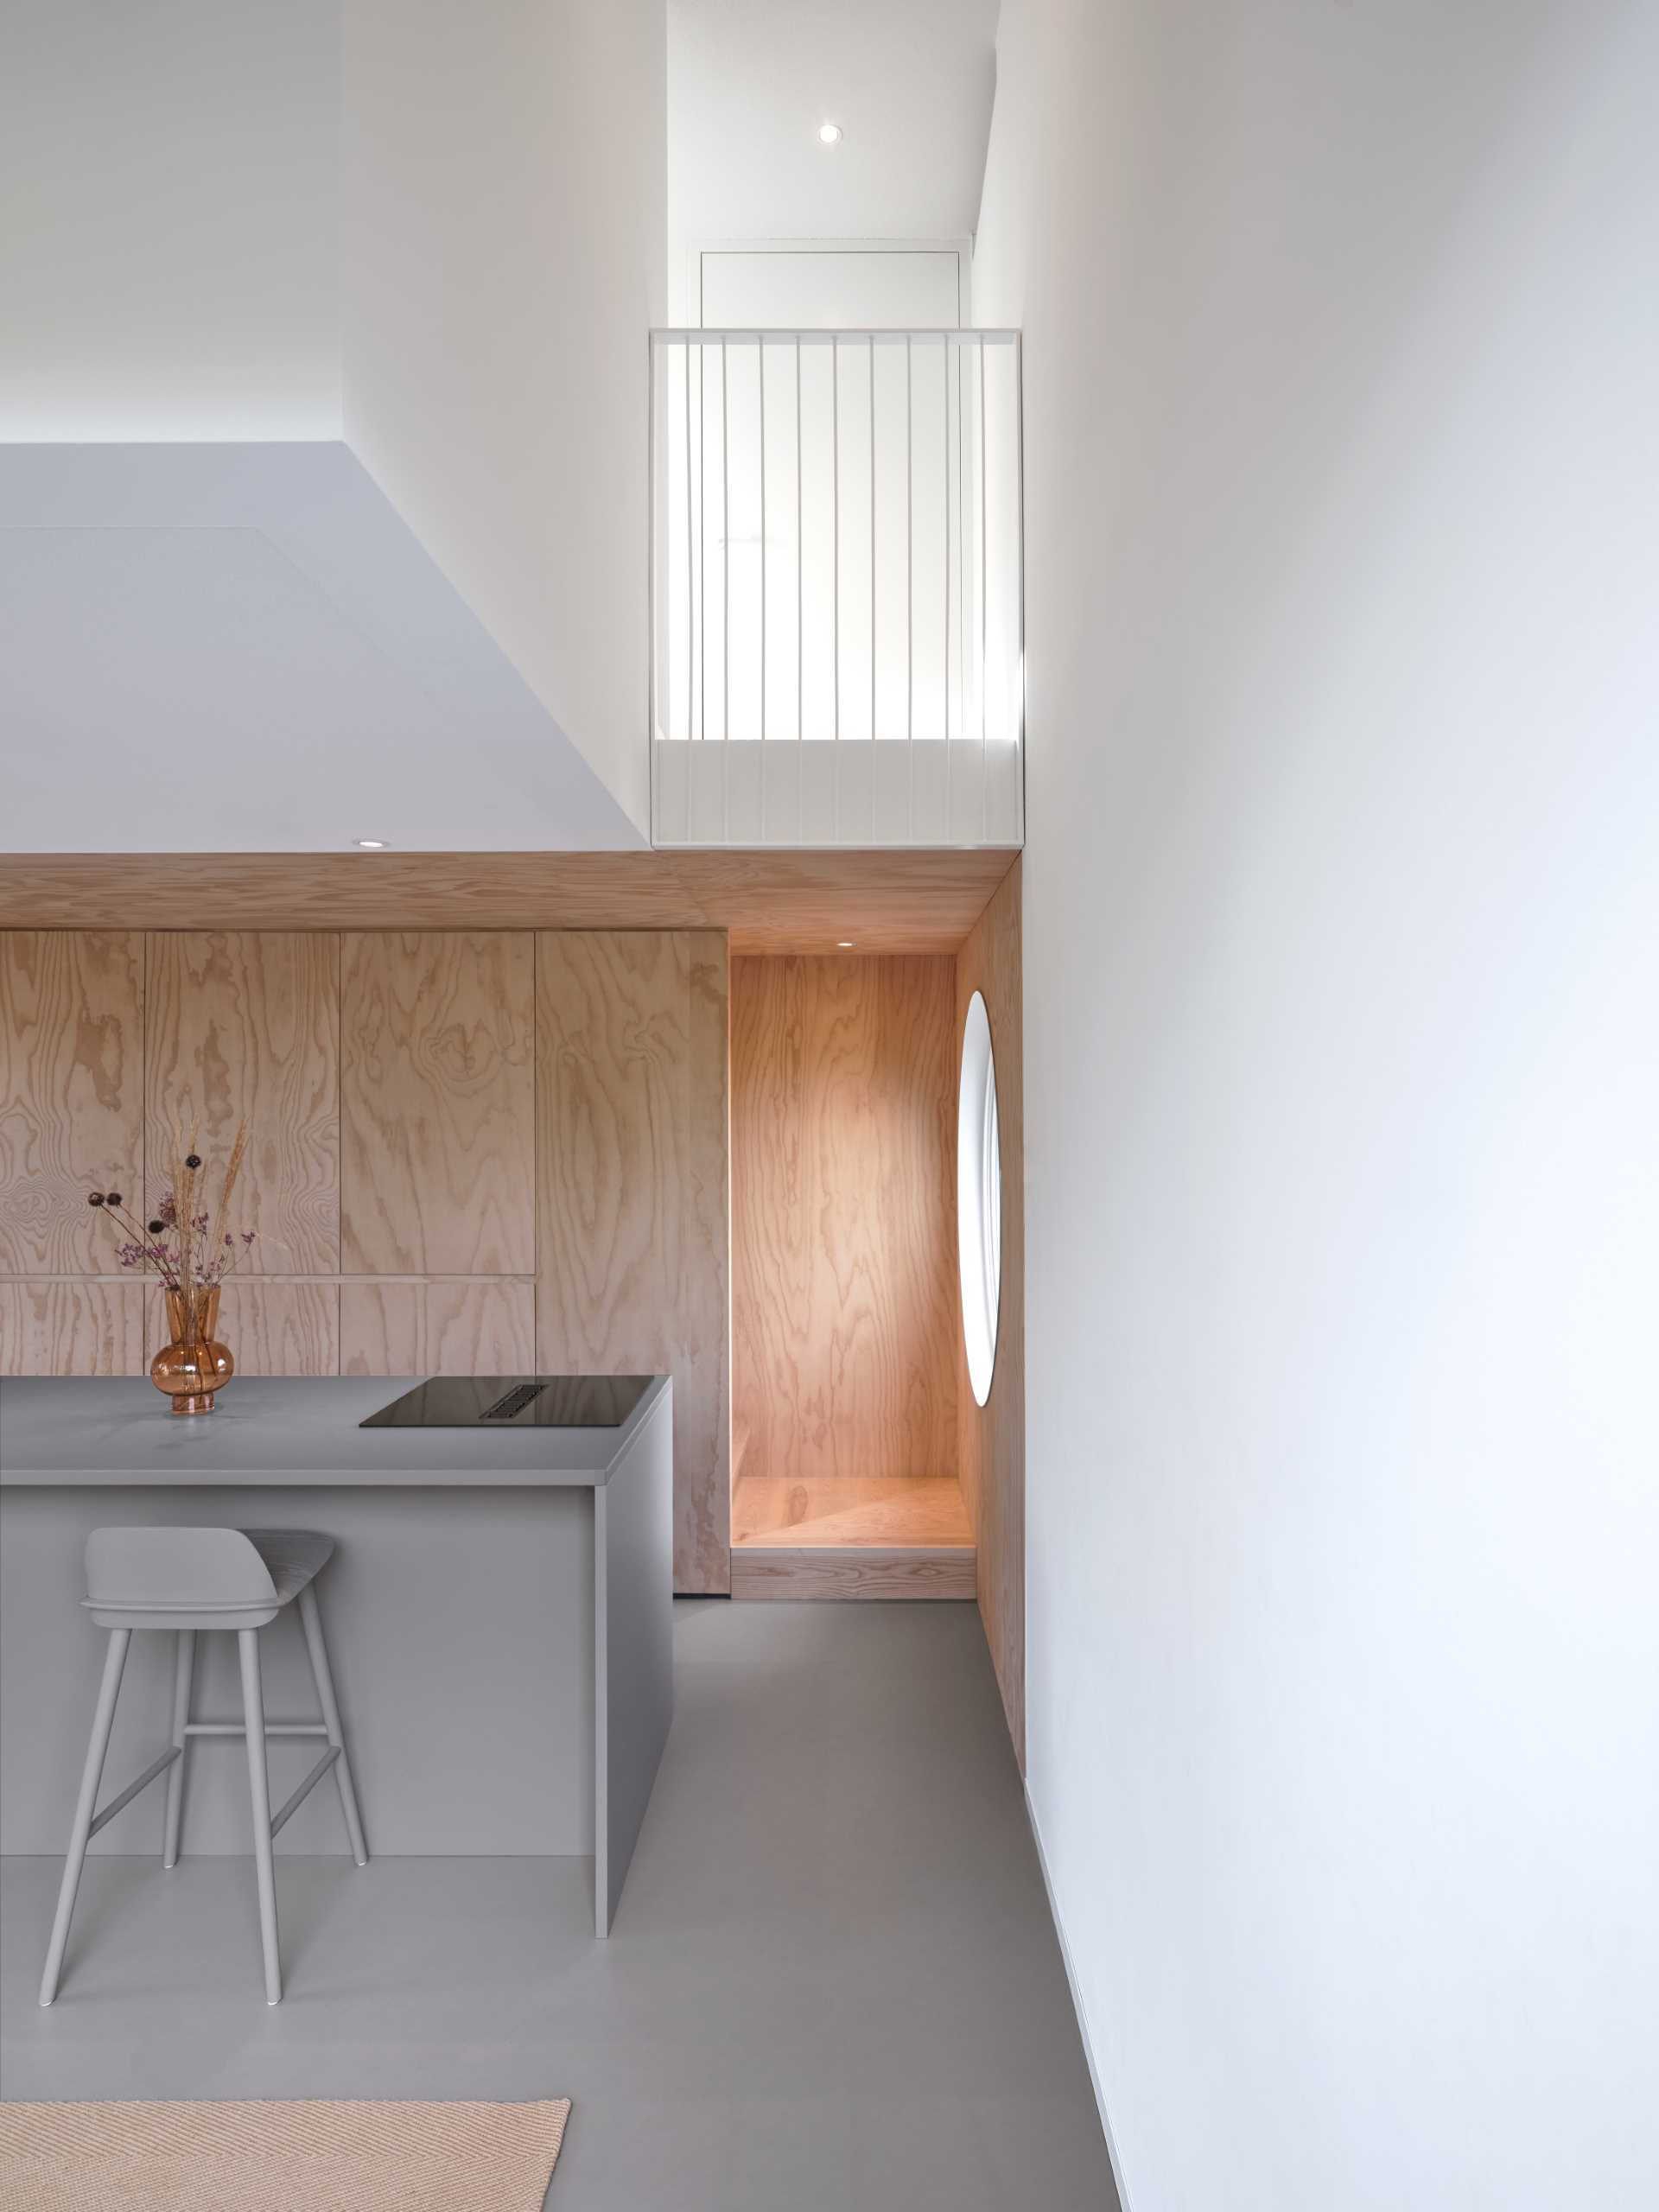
[(189, 1580)]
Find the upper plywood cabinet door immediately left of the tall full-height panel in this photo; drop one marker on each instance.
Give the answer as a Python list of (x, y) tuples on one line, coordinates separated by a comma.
[(439, 1103)]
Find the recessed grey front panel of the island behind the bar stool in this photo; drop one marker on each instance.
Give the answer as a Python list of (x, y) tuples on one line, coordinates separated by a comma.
[(461, 1636)]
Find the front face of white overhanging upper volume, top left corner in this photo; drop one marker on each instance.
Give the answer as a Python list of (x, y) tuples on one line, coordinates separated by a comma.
[(169, 187)]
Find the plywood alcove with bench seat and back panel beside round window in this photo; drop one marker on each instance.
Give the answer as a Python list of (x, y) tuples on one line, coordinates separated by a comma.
[(844, 1280)]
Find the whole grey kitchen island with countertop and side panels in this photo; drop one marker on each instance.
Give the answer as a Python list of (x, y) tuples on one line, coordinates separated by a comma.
[(499, 1614)]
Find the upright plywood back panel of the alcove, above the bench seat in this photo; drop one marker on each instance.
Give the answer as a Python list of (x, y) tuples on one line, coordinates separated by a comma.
[(844, 1218)]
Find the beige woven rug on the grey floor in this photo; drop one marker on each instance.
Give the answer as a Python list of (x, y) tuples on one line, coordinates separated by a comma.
[(280, 2158)]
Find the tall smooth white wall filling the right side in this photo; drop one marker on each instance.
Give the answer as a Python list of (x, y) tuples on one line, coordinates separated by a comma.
[(1344, 1083)]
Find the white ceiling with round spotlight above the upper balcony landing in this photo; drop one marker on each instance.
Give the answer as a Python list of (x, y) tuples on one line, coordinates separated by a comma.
[(751, 81)]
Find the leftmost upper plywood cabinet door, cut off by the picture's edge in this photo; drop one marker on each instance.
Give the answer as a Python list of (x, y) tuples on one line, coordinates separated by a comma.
[(72, 1094)]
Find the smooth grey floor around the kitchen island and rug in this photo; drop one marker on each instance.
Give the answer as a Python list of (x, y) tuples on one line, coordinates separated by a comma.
[(833, 1983)]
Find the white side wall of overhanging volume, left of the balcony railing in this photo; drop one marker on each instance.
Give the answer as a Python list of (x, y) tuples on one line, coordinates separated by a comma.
[(503, 262)]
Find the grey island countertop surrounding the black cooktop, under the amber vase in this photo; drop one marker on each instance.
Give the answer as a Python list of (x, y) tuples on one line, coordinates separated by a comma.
[(282, 1432)]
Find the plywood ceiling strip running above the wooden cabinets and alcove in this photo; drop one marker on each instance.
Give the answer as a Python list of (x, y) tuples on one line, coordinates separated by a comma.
[(769, 901)]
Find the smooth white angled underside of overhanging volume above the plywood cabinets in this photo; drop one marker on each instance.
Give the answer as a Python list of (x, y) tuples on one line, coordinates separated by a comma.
[(244, 649)]
